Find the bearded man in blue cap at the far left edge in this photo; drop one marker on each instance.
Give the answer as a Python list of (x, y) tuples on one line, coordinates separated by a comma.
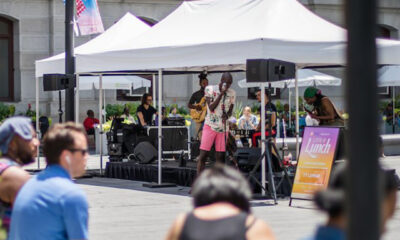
[(18, 144)]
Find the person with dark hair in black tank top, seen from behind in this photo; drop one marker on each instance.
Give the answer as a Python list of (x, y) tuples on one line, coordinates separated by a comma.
[(221, 209)]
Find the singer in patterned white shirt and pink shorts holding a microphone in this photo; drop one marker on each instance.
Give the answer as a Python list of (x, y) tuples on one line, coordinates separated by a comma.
[(220, 101)]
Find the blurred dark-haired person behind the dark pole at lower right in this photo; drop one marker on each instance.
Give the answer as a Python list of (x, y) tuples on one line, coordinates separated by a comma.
[(332, 201)]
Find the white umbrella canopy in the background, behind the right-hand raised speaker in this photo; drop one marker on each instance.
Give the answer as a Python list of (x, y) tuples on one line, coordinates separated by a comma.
[(307, 78)]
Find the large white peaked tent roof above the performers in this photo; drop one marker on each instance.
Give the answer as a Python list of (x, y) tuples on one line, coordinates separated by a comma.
[(219, 35)]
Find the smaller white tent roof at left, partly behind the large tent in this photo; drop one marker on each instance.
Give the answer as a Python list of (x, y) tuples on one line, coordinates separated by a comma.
[(128, 26)]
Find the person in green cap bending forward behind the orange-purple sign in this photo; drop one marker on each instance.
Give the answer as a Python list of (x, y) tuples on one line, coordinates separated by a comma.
[(321, 108)]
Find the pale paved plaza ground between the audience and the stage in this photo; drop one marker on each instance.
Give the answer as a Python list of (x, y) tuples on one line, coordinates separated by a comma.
[(123, 209)]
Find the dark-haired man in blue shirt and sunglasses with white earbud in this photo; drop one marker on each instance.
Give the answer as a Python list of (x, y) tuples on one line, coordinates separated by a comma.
[(50, 205)]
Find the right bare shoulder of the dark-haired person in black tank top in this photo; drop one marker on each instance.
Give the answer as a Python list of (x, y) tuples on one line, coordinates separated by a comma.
[(258, 229)]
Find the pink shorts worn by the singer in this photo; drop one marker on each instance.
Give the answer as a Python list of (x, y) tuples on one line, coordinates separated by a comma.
[(209, 137)]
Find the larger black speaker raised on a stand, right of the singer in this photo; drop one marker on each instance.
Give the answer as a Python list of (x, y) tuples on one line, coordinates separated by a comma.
[(269, 70)]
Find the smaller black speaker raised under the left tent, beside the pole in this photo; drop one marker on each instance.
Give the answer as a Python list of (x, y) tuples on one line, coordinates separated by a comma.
[(55, 82)]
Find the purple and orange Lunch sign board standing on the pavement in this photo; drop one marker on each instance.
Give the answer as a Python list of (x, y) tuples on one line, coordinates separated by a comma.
[(319, 150)]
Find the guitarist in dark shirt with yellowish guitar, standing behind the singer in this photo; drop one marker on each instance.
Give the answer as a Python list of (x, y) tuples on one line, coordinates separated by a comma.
[(195, 99)]
